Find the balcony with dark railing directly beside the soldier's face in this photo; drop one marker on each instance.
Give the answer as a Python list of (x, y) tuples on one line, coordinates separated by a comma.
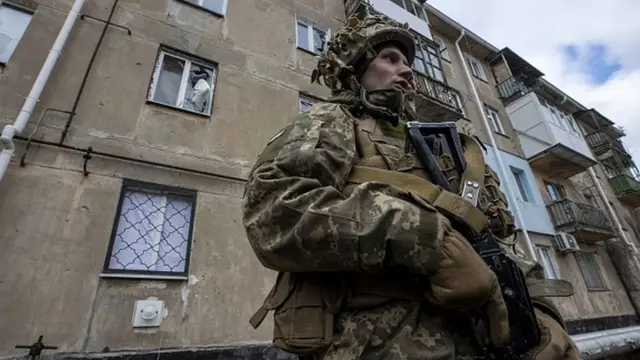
[(437, 101)]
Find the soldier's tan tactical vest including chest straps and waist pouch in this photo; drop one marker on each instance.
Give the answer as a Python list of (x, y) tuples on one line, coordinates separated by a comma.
[(305, 305)]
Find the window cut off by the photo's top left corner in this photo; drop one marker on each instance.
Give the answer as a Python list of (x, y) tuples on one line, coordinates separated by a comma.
[(13, 23)]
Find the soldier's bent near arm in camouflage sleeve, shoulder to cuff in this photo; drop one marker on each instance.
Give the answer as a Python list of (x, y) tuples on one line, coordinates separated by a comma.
[(297, 219)]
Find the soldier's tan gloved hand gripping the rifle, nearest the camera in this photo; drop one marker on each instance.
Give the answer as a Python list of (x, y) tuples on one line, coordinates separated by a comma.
[(464, 282)]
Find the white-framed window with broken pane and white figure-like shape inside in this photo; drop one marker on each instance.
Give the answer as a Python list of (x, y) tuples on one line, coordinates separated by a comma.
[(183, 83)]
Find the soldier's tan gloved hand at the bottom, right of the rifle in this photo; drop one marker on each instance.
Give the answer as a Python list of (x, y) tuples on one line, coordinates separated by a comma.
[(555, 343)]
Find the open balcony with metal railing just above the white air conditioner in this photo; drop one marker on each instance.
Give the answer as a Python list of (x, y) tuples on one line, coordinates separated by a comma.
[(585, 222)]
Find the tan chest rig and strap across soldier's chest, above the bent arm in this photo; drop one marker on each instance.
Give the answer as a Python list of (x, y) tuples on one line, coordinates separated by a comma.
[(383, 158)]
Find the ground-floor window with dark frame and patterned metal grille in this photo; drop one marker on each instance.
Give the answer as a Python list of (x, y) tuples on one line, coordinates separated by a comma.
[(155, 237)]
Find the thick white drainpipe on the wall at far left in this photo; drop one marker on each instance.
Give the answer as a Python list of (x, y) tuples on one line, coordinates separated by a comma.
[(9, 131)]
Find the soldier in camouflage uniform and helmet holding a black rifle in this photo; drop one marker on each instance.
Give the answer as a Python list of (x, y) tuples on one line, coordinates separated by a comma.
[(368, 269)]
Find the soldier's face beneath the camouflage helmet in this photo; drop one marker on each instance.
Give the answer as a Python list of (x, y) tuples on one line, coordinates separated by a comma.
[(390, 69)]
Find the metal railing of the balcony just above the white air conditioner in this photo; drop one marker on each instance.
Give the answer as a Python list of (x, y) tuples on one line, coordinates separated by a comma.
[(567, 213)]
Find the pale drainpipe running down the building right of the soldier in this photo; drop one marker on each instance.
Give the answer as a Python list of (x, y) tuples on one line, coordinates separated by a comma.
[(501, 167)]
